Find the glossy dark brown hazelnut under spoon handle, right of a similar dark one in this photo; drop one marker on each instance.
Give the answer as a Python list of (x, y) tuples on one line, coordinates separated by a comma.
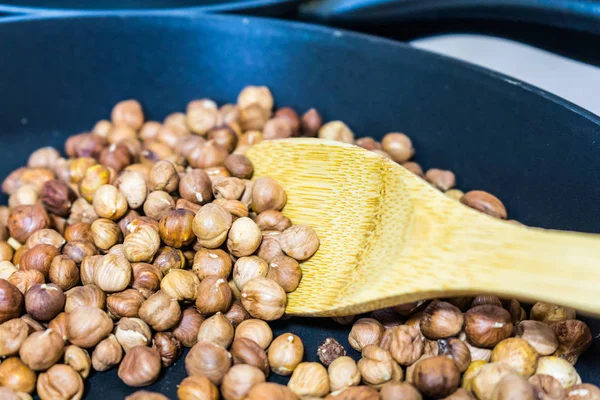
[(487, 325)]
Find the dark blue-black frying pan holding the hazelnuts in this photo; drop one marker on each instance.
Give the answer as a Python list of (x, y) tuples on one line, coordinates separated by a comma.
[(538, 153)]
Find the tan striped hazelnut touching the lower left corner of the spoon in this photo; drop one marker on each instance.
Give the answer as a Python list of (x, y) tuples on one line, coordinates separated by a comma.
[(264, 299)]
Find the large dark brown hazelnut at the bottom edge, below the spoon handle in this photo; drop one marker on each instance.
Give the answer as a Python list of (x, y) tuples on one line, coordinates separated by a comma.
[(436, 376)]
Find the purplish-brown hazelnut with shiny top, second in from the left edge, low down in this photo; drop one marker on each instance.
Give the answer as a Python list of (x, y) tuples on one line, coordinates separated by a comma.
[(43, 302)]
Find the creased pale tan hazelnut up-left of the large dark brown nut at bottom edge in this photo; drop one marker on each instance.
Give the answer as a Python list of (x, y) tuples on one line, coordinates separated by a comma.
[(377, 367)]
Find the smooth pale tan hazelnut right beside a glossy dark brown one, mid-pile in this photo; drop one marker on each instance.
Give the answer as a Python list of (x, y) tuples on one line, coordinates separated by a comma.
[(211, 225)]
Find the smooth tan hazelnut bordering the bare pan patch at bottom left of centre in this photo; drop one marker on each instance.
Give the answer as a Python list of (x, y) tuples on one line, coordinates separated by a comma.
[(209, 360)]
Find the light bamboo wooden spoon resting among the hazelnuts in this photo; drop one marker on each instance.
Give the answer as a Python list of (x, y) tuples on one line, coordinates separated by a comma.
[(388, 237)]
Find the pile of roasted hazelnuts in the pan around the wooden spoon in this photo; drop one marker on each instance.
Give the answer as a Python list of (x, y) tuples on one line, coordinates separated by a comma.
[(151, 237)]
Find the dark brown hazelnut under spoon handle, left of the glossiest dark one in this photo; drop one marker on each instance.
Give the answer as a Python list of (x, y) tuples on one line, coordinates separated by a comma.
[(441, 320)]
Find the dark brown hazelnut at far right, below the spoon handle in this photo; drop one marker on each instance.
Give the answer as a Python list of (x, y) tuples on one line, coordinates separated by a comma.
[(574, 338)]
